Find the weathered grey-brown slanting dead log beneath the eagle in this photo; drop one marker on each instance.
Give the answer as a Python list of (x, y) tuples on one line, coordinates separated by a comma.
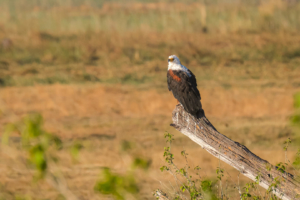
[(201, 131)]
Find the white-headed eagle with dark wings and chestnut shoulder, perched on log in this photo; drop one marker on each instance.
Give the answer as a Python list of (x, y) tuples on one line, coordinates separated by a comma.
[(182, 82)]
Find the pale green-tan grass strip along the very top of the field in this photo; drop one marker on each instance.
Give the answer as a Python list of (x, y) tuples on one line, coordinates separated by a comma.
[(95, 16)]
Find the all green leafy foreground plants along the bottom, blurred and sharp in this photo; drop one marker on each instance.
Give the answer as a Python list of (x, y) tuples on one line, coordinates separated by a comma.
[(41, 148)]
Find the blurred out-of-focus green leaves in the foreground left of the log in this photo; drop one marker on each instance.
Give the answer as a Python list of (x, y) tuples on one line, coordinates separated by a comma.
[(41, 149)]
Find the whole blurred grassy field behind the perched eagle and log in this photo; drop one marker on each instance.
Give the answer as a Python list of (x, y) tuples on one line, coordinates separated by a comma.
[(96, 72)]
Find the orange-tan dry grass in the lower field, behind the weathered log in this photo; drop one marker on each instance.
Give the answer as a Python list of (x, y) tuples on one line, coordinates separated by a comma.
[(103, 116)]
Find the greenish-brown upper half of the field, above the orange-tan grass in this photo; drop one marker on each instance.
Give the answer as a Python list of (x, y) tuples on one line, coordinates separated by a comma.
[(128, 43)]
